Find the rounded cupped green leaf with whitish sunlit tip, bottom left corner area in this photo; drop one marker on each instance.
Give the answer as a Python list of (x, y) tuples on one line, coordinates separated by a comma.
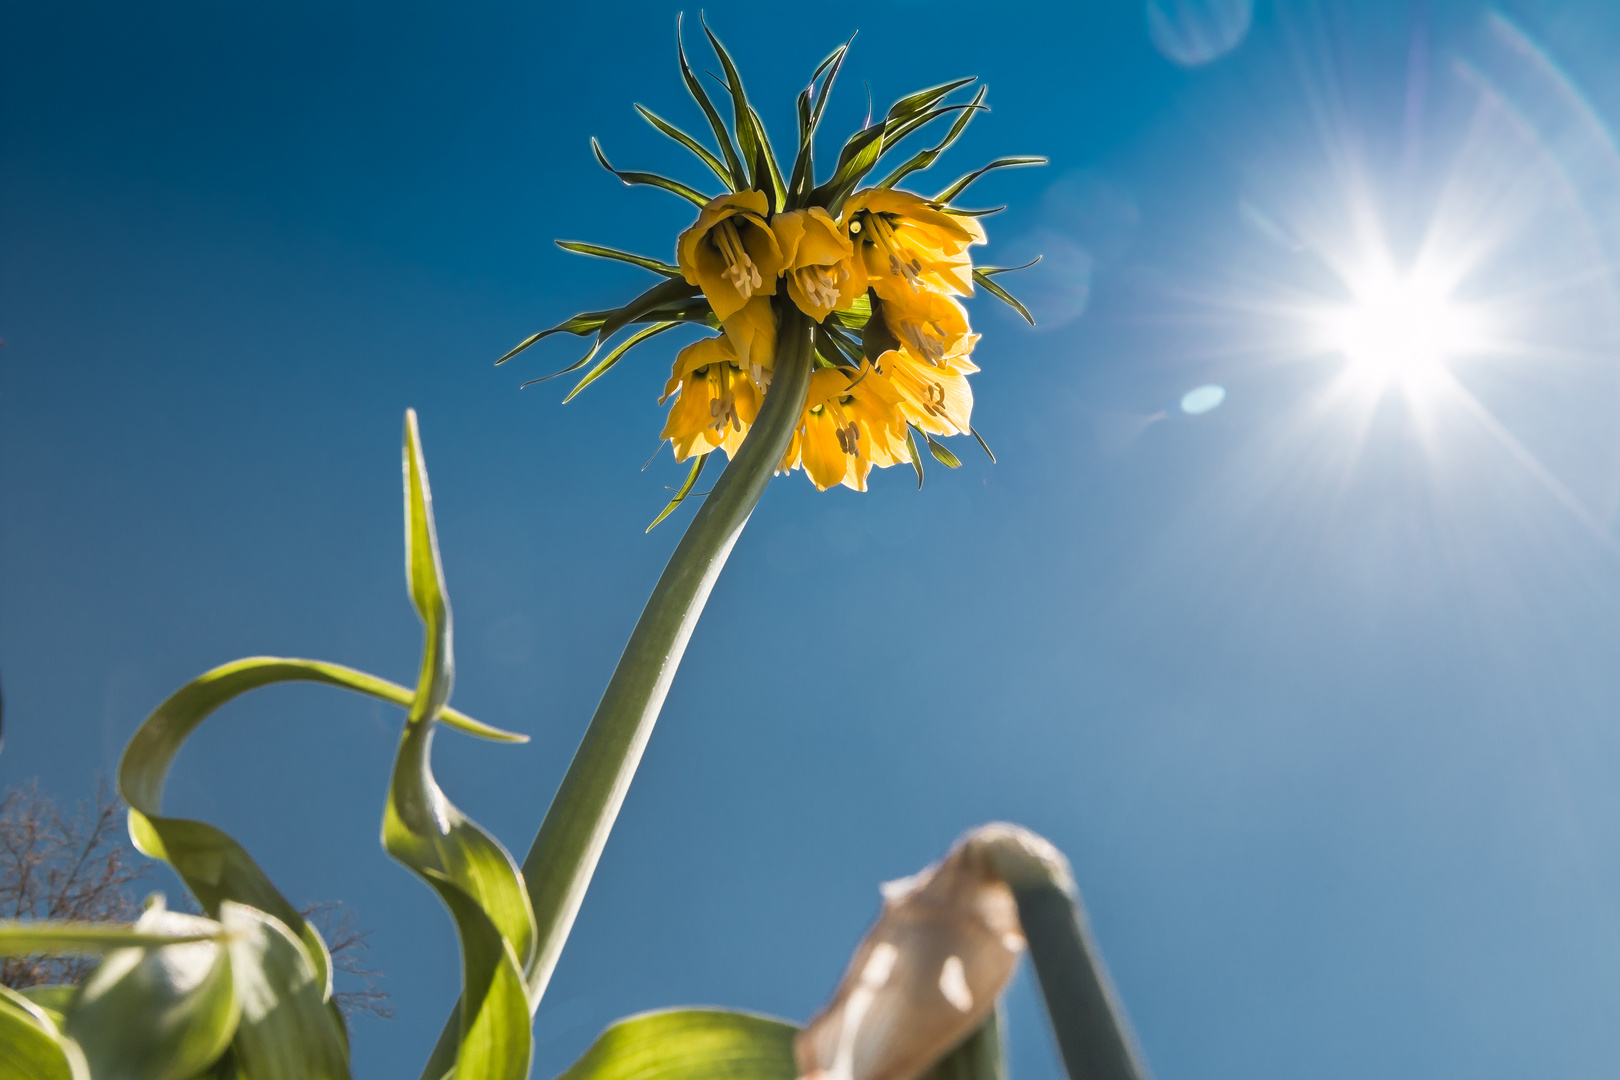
[(161, 1013)]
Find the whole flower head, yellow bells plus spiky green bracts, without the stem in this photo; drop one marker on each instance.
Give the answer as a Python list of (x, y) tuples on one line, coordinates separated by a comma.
[(877, 270)]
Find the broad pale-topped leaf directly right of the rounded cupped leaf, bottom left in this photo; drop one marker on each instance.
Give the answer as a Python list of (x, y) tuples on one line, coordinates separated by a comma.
[(286, 1029)]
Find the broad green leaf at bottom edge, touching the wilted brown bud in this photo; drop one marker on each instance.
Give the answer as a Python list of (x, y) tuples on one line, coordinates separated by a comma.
[(691, 1045)]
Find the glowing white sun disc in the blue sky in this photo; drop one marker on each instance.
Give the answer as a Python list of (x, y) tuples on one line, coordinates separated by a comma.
[(1399, 326)]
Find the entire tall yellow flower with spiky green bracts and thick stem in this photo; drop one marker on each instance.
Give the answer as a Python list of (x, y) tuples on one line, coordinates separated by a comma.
[(840, 339)]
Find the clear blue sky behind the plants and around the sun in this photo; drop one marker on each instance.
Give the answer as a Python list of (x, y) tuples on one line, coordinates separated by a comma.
[(1316, 691)]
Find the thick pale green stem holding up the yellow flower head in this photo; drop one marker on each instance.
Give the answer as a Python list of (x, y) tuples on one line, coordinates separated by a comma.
[(563, 859)]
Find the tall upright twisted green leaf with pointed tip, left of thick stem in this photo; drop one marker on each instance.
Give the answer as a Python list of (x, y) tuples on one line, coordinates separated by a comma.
[(472, 874)]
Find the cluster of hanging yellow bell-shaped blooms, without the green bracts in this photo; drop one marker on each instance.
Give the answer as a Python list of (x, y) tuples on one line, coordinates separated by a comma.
[(897, 252)]
